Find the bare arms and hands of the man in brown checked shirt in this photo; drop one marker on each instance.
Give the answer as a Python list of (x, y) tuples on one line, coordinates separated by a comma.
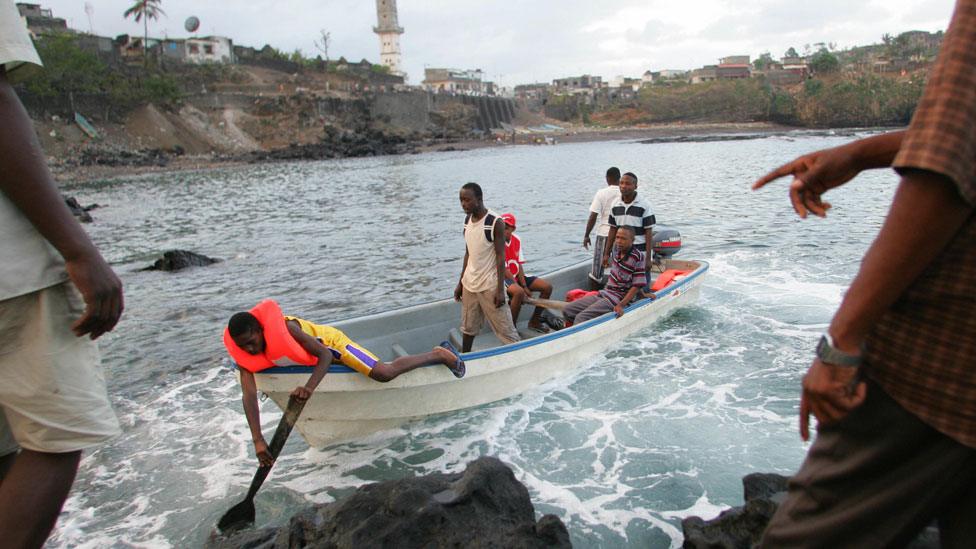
[(898, 255)]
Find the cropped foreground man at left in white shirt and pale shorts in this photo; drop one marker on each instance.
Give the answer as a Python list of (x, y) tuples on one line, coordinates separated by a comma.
[(55, 289)]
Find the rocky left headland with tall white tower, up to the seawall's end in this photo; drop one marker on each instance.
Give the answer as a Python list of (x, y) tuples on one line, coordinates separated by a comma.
[(130, 99)]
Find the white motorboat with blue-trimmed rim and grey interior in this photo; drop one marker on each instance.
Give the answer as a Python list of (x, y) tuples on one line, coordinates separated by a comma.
[(348, 405)]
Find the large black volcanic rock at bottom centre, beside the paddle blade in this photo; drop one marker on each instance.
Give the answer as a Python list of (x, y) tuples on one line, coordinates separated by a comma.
[(483, 507)]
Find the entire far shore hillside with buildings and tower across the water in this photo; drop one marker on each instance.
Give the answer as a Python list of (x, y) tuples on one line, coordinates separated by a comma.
[(142, 99)]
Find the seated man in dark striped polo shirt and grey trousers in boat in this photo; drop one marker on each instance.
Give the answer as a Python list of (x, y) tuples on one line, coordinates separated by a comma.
[(627, 277)]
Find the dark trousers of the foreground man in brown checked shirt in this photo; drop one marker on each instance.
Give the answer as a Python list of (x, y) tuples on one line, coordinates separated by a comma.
[(876, 479)]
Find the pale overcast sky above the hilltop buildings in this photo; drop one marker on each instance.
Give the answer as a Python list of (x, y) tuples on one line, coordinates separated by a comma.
[(534, 40)]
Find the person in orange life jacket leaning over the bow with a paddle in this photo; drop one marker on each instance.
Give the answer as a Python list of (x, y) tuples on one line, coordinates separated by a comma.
[(264, 338)]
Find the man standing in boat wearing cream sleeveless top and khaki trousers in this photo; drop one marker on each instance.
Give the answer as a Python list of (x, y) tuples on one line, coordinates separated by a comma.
[(481, 288)]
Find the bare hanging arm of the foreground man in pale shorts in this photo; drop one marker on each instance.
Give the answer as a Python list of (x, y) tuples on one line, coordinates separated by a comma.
[(25, 180)]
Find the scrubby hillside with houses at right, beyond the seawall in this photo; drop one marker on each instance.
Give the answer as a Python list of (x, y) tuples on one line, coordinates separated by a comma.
[(871, 85)]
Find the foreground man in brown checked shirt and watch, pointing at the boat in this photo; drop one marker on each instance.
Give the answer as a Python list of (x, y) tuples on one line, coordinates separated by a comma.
[(893, 384)]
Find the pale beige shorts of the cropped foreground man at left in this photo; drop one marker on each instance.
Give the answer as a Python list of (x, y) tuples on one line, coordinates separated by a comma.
[(52, 389)]
